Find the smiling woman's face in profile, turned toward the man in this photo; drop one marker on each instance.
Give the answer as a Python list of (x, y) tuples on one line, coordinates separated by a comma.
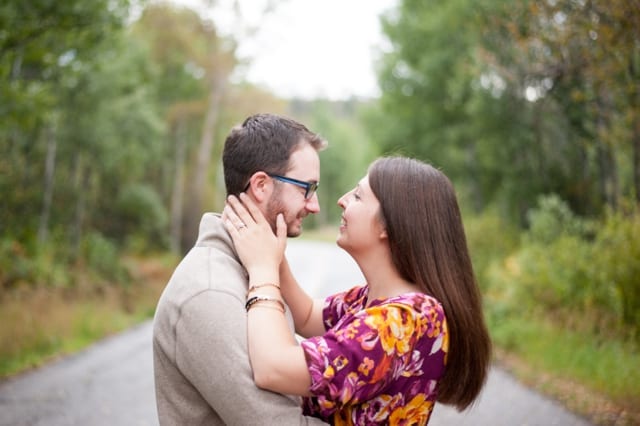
[(360, 227)]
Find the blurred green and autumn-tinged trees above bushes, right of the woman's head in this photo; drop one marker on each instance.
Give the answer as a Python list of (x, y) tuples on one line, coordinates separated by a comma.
[(517, 99)]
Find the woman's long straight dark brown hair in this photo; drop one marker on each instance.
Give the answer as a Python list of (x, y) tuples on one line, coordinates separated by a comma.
[(429, 248)]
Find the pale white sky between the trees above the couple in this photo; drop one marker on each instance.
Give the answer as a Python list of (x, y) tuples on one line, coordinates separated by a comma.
[(306, 48)]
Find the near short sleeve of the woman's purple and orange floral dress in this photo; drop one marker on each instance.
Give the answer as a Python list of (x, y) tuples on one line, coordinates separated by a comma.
[(355, 361)]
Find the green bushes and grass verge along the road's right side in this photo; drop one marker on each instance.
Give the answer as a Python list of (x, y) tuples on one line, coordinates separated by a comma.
[(559, 301)]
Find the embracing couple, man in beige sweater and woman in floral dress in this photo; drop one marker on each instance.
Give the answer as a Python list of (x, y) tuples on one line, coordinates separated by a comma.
[(382, 352)]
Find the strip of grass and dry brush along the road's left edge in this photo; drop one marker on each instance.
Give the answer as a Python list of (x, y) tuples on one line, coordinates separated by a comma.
[(39, 324)]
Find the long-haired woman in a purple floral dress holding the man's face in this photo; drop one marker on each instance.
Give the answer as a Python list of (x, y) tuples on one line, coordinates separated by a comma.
[(385, 352)]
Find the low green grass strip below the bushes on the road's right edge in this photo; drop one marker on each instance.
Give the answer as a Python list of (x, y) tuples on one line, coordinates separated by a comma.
[(597, 378)]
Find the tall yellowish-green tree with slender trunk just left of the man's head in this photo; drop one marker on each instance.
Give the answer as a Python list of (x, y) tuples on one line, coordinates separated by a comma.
[(194, 65)]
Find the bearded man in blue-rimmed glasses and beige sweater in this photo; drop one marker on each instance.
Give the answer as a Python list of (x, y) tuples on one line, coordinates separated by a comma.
[(201, 364)]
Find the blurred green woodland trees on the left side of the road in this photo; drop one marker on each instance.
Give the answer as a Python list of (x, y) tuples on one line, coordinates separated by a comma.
[(84, 126)]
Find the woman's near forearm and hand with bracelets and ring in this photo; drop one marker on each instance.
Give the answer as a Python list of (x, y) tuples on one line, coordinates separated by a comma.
[(278, 362)]
